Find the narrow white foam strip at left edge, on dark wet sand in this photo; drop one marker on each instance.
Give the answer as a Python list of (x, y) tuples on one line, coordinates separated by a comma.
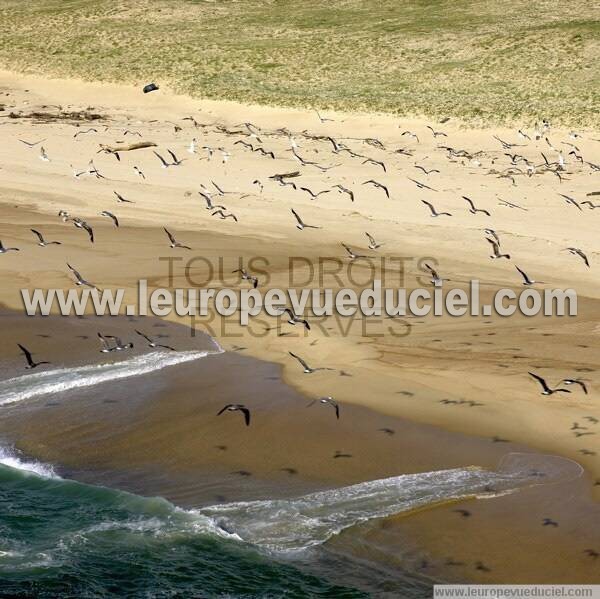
[(58, 380)]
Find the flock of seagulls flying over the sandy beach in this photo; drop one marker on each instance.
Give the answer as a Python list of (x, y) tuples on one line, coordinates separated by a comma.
[(511, 163)]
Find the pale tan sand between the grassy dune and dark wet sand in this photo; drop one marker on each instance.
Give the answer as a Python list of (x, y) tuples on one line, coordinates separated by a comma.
[(479, 359)]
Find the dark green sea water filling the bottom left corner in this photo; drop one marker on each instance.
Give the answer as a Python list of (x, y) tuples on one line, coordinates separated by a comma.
[(60, 538)]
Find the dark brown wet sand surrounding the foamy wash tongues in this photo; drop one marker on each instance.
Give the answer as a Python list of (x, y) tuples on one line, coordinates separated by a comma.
[(163, 440)]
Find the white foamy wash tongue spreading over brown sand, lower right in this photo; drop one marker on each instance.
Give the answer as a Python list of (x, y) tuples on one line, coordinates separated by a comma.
[(297, 524)]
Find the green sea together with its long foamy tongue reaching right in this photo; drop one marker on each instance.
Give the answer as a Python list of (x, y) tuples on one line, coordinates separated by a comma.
[(61, 538)]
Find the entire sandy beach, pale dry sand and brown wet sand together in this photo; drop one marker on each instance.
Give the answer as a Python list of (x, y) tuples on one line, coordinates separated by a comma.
[(389, 373)]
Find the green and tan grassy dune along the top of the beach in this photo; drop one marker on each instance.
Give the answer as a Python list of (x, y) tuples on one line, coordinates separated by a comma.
[(485, 61)]
